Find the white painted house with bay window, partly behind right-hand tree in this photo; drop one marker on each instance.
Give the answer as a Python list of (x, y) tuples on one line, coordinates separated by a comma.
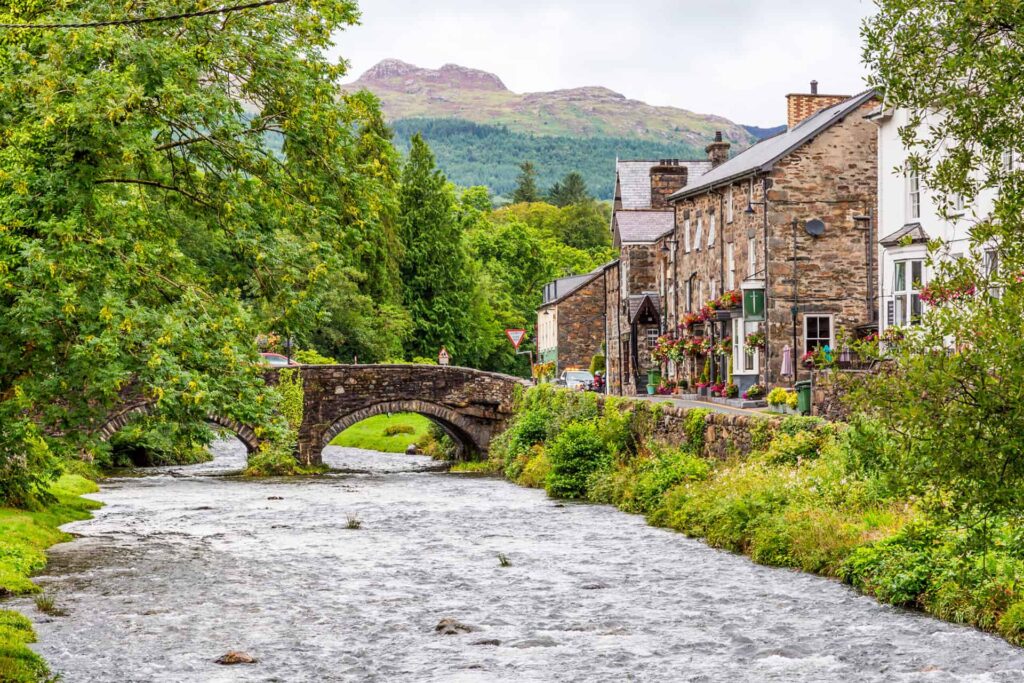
[(910, 217)]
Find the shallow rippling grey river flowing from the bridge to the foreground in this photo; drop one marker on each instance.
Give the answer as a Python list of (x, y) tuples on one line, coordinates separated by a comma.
[(185, 565)]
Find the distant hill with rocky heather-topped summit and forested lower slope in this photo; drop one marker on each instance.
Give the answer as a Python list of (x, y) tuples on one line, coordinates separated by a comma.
[(481, 131)]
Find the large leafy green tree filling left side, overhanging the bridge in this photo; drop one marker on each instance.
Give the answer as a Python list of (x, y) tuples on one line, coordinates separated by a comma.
[(148, 233)]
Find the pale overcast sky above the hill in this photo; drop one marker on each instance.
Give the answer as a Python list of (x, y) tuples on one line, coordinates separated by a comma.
[(734, 58)]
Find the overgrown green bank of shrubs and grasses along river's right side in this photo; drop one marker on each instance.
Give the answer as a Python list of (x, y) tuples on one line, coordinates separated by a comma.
[(814, 496)]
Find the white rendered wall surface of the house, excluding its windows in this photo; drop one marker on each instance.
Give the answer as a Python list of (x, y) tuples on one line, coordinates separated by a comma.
[(894, 214)]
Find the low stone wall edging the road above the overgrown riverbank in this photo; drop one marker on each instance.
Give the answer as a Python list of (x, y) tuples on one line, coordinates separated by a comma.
[(726, 436)]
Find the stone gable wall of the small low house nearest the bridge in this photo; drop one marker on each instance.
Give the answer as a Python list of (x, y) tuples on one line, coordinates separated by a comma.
[(581, 325)]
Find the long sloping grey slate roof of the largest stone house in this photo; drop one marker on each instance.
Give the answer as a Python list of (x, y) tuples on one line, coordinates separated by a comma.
[(763, 156)]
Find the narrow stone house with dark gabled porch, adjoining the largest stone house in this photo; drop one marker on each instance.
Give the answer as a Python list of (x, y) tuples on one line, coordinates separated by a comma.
[(641, 218)]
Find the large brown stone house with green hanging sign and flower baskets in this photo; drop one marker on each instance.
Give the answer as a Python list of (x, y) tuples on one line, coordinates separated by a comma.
[(787, 226)]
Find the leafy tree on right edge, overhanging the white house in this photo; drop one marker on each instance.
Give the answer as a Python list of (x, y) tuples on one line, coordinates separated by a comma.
[(955, 396)]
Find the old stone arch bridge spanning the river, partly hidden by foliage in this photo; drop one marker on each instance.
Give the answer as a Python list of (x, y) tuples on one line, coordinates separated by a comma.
[(472, 406)]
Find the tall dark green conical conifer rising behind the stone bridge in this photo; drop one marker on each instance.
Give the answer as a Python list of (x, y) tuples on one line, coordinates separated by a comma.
[(437, 272)]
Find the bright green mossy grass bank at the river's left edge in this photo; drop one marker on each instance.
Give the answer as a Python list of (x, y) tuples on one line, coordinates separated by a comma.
[(25, 536)]
